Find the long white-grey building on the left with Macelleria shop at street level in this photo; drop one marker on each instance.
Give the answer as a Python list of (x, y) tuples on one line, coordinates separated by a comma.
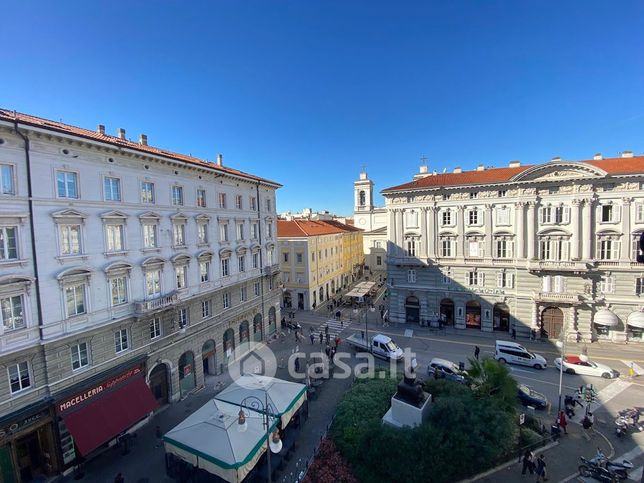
[(127, 273)]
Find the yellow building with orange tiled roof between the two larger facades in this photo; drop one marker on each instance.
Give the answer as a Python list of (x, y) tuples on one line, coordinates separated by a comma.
[(318, 260)]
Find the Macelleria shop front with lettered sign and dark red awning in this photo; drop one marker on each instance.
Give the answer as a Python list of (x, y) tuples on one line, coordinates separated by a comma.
[(101, 411)]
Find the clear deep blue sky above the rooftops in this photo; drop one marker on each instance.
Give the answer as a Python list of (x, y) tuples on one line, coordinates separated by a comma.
[(305, 92)]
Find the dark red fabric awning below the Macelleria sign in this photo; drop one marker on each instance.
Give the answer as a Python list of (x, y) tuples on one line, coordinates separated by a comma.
[(104, 419)]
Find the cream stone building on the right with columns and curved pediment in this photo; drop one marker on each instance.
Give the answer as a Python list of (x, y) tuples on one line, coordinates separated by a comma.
[(550, 247)]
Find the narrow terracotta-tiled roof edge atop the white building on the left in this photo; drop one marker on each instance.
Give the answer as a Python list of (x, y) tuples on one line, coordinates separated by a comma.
[(26, 119)]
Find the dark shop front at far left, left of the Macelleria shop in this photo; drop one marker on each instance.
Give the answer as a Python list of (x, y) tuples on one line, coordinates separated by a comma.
[(28, 445)]
